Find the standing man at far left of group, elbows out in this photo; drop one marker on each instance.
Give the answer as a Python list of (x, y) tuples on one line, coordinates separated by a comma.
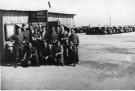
[(18, 39)]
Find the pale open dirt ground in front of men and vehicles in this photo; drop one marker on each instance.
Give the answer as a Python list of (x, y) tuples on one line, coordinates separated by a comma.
[(106, 62)]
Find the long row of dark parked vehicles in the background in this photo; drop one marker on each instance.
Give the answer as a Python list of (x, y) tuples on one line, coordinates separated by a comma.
[(108, 29)]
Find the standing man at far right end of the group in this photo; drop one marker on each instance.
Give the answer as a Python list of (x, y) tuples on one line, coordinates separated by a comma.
[(75, 40)]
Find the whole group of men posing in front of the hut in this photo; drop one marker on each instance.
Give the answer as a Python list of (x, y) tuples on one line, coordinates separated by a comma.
[(35, 47)]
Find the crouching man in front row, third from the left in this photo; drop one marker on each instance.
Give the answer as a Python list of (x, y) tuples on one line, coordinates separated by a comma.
[(58, 53)]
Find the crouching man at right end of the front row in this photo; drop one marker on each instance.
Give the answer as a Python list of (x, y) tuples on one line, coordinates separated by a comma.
[(72, 53)]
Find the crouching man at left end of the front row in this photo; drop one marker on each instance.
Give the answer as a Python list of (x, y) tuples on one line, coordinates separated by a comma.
[(30, 56)]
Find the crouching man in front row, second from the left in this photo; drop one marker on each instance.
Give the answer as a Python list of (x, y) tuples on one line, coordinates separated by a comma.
[(46, 53)]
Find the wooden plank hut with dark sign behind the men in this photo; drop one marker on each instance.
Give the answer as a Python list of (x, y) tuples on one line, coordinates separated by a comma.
[(10, 18)]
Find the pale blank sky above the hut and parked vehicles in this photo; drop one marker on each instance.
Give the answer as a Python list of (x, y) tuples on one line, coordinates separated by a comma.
[(88, 12)]
